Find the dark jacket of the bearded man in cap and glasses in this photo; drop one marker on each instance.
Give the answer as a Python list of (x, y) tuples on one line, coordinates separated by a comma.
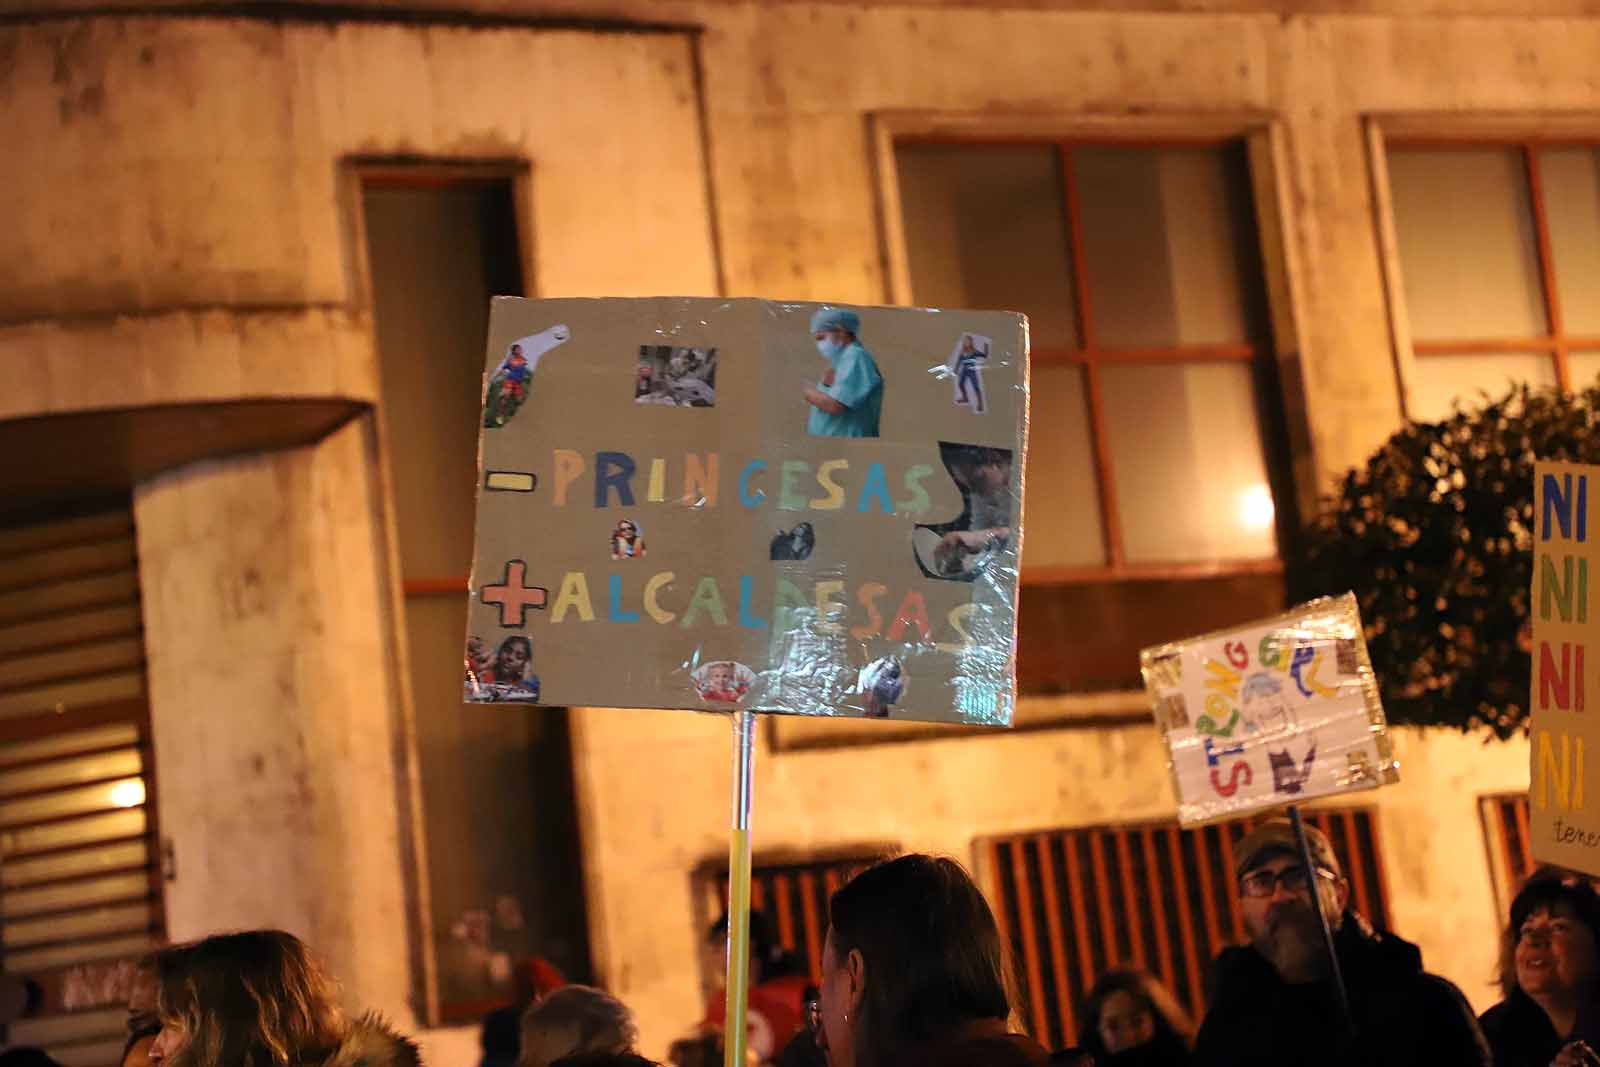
[(1404, 1017)]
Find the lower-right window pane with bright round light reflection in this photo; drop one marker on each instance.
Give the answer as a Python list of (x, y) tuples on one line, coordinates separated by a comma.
[(1188, 463)]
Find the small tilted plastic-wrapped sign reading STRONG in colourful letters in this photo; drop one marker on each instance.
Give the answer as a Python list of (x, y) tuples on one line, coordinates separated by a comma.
[(1268, 714)]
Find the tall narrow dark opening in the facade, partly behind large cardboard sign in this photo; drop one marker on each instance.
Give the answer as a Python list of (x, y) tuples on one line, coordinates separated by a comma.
[(498, 799)]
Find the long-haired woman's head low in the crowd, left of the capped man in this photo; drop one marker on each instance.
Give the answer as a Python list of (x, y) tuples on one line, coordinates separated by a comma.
[(1130, 1020)]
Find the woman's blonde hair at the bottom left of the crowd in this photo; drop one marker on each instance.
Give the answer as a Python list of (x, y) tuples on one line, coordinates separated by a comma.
[(255, 999)]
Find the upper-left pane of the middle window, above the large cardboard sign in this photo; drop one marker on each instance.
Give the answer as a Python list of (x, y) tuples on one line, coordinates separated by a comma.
[(986, 230)]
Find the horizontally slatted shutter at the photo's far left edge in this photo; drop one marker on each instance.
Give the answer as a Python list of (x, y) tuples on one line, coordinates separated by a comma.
[(81, 890)]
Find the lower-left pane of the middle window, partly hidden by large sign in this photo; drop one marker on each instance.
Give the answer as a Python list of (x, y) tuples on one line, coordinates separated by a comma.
[(1062, 505)]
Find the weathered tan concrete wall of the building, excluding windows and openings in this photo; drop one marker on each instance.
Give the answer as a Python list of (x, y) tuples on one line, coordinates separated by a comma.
[(185, 233)]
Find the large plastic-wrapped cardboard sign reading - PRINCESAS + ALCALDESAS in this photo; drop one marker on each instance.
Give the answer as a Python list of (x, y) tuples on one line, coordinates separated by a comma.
[(783, 508)]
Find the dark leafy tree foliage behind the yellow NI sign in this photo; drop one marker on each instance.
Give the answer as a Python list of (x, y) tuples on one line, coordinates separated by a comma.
[(1434, 537)]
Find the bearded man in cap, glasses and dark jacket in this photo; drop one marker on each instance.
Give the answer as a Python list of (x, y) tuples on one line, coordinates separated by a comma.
[(1274, 1001)]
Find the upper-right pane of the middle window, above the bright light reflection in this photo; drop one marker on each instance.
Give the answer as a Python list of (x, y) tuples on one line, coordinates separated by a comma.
[(1170, 246)]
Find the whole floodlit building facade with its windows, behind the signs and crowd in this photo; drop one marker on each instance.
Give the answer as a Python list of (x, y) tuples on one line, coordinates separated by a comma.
[(242, 298)]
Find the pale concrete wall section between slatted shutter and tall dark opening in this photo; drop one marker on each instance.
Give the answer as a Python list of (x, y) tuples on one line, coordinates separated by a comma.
[(273, 695)]
